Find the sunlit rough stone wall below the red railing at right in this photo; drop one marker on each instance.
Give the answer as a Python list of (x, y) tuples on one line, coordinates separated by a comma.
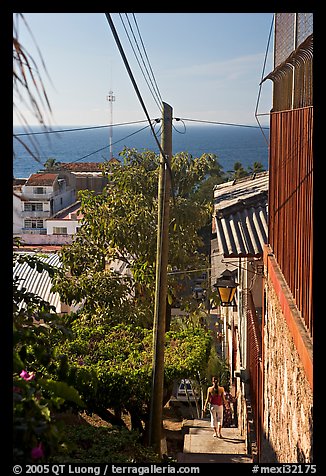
[(288, 396)]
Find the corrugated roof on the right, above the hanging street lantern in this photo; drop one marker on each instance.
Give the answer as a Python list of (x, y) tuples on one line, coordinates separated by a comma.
[(241, 221)]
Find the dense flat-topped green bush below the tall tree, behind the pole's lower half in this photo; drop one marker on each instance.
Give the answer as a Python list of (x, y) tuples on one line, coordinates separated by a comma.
[(111, 366)]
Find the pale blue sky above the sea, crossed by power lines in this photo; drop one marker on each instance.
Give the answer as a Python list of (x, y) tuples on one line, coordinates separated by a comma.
[(207, 66)]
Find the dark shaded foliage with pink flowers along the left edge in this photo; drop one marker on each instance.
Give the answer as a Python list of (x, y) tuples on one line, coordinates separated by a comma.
[(36, 396)]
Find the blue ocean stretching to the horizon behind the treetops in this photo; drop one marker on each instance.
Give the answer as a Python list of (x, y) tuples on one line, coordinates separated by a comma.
[(229, 143)]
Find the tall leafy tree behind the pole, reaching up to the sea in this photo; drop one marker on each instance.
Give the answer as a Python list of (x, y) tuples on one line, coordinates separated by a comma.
[(121, 224)]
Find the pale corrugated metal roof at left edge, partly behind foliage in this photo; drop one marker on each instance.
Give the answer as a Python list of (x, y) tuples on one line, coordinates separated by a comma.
[(39, 283)]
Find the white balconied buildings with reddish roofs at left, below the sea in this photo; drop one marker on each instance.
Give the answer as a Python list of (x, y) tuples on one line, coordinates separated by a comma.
[(45, 210)]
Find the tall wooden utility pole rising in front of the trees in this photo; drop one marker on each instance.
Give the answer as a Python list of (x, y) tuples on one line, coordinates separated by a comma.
[(162, 250)]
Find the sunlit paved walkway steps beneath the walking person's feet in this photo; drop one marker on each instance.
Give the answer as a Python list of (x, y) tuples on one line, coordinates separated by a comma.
[(201, 447)]
